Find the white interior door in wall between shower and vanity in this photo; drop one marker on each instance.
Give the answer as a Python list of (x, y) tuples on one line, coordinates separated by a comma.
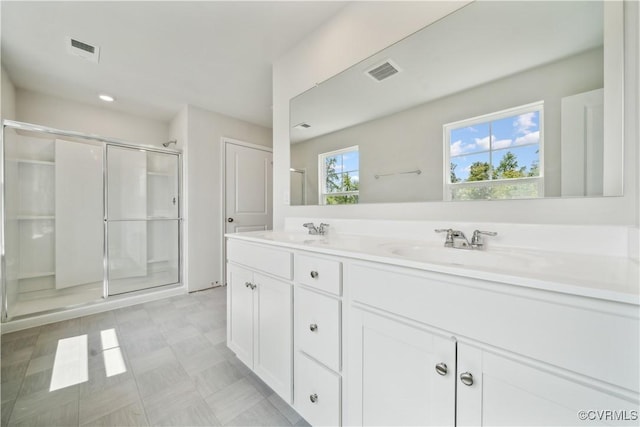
[(249, 188)]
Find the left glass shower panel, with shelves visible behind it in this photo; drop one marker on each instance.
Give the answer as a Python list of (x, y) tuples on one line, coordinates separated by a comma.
[(53, 193)]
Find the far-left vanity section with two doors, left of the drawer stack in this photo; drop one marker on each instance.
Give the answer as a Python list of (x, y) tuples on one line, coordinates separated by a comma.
[(260, 312)]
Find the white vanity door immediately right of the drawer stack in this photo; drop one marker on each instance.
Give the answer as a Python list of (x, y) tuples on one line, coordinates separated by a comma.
[(392, 375)]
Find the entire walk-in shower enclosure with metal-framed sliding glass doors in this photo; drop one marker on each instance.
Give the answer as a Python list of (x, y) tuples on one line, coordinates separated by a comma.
[(85, 218)]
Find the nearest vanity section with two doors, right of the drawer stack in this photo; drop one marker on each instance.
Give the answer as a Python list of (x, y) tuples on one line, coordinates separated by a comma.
[(513, 356)]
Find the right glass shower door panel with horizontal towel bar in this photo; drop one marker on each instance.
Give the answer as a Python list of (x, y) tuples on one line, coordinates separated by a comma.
[(142, 219)]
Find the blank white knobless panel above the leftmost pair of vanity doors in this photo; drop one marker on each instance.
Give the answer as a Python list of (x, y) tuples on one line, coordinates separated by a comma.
[(258, 257)]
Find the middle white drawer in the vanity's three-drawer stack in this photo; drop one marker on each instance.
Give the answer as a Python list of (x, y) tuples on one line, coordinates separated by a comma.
[(318, 327)]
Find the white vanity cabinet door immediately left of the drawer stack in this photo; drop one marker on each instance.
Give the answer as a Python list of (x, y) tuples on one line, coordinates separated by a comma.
[(273, 334)]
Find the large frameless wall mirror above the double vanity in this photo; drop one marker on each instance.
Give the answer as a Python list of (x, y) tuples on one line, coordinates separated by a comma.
[(498, 100)]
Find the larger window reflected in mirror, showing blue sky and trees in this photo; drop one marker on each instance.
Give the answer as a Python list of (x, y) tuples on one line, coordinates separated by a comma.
[(495, 156)]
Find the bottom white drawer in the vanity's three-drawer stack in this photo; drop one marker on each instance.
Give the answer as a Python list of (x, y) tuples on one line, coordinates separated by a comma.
[(317, 393)]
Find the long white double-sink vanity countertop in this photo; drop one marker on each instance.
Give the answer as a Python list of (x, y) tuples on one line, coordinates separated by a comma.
[(611, 278)]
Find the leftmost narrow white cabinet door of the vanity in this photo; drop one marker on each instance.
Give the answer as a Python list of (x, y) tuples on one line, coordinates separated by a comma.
[(240, 313)]
